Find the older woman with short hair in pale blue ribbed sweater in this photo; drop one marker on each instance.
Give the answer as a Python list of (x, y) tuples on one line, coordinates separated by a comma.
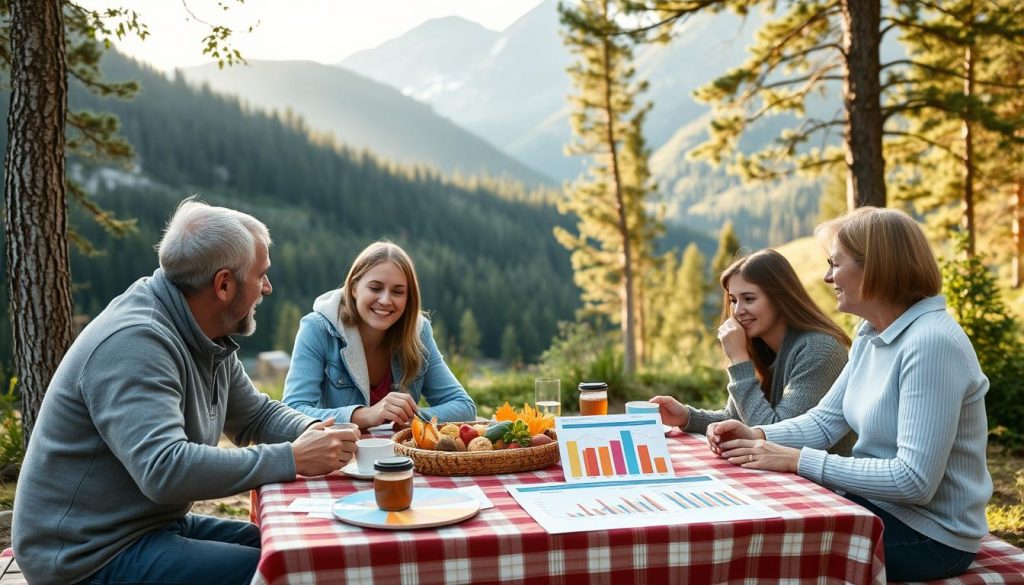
[(914, 394)]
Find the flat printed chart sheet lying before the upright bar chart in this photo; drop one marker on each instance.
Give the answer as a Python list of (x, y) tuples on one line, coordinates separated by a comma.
[(584, 508)]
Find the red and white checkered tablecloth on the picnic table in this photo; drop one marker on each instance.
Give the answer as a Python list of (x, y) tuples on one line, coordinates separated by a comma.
[(821, 538)]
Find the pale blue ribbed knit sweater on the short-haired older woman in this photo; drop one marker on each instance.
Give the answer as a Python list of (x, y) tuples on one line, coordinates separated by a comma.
[(915, 396)]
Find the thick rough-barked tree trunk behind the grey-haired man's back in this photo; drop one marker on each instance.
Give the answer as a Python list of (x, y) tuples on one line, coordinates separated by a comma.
[(36, 220)]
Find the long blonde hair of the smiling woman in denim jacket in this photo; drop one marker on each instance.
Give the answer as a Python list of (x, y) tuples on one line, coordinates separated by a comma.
[(403, 338)]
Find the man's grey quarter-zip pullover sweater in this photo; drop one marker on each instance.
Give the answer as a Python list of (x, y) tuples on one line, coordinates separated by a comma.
[(127, 434)]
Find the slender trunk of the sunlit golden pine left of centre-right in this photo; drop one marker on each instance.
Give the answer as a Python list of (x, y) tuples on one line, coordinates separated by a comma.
[(629, 306)]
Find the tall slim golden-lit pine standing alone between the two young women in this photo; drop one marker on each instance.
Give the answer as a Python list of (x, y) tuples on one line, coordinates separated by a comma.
[(614, 229)]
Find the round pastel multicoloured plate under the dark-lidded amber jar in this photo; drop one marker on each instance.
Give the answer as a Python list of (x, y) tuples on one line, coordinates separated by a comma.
[(432, 508)]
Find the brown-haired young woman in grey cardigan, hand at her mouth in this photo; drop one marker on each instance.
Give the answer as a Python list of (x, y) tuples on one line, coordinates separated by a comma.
[(784, 352)]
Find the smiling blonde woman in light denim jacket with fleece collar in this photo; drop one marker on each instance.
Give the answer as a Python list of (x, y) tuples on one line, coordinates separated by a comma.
[(366, 355)]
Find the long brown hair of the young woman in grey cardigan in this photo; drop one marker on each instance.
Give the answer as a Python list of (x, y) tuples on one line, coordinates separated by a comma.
[(777, 279)]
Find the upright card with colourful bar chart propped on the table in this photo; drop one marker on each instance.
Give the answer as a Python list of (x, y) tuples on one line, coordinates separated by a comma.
[(614, 448)]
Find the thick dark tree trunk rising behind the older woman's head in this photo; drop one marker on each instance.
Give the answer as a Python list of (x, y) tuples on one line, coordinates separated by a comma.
[(862, 97)]
